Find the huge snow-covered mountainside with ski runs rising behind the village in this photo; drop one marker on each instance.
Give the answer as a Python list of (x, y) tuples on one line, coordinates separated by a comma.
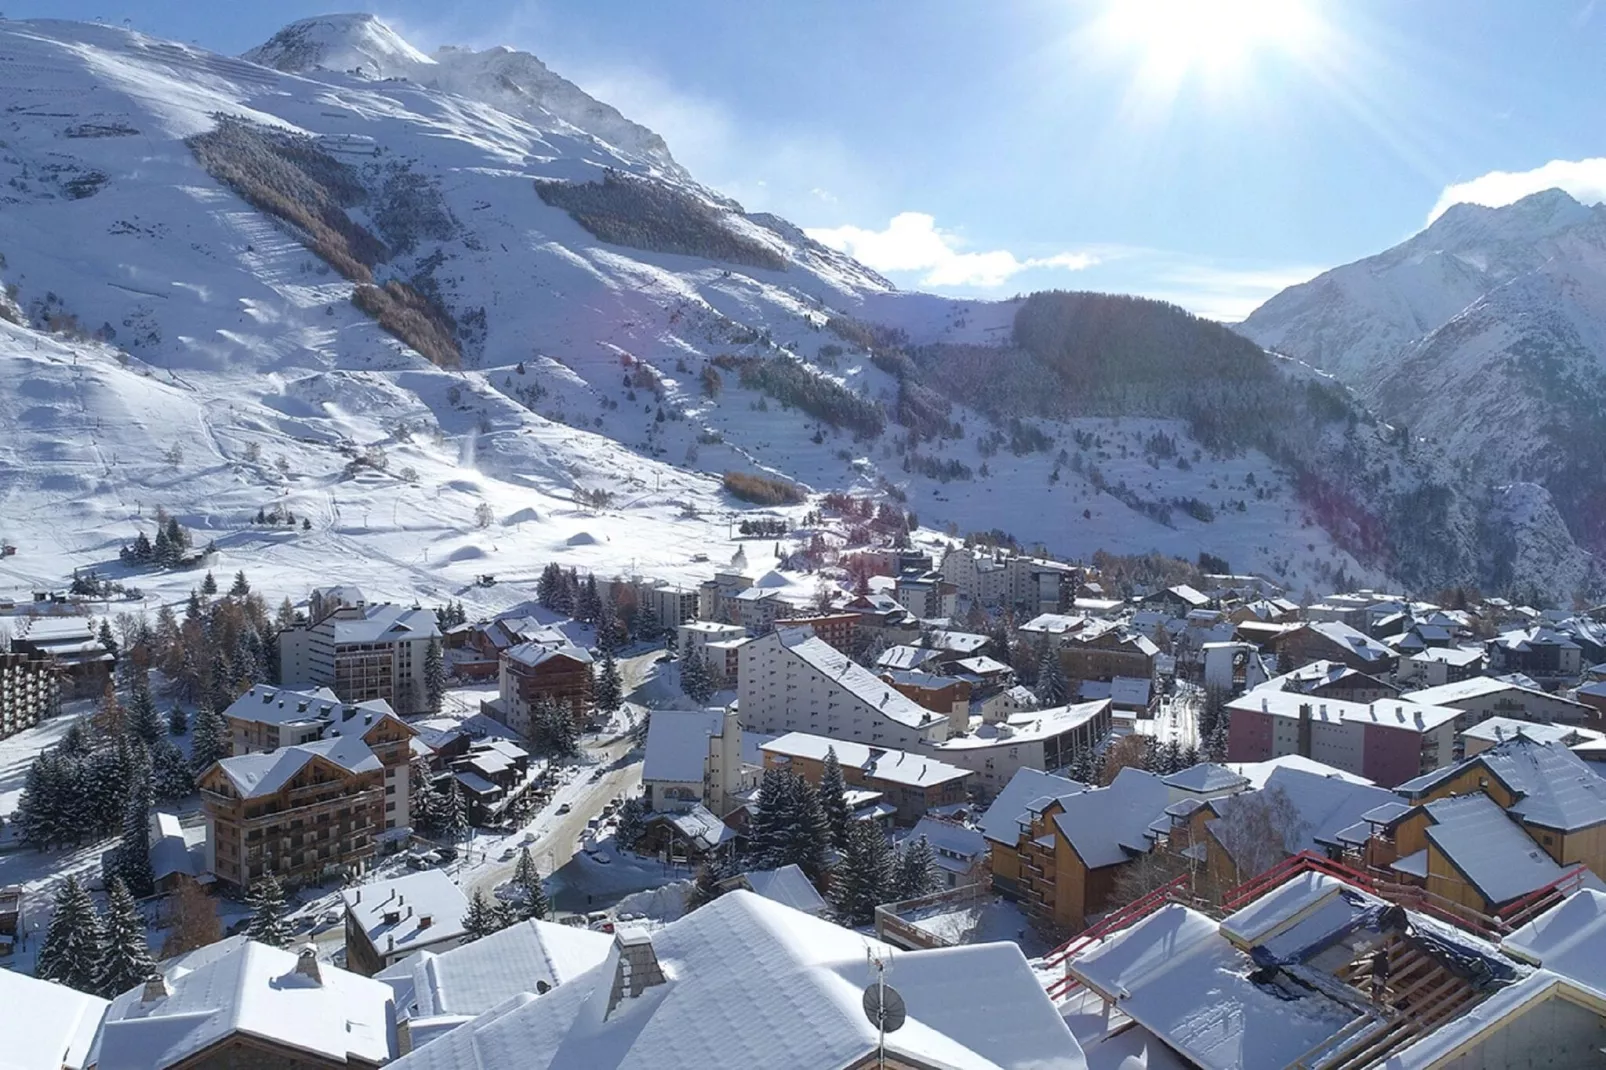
[(597, 319)]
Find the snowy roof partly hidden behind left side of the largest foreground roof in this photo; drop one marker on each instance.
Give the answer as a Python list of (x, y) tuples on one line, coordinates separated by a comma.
[(479, 976)]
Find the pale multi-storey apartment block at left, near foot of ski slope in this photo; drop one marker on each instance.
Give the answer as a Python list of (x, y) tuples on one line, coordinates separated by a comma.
[(361, 651)]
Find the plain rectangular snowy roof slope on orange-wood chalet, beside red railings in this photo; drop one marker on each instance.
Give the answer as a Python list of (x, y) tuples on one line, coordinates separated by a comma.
[(1488, 849)]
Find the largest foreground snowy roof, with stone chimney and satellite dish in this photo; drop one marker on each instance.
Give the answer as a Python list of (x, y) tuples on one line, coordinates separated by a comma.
[(756, 984)]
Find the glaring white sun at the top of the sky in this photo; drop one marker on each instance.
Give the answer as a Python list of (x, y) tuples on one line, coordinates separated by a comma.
[(1175, 41)]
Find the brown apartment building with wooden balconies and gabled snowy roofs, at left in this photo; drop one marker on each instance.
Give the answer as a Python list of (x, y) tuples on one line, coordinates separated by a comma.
[(303, 809)]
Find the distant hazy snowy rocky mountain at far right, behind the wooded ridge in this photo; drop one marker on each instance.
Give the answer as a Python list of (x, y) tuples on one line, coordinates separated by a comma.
[(1485, 335)]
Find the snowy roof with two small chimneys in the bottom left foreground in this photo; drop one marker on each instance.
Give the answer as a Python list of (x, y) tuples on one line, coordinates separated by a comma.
[(250, 990)]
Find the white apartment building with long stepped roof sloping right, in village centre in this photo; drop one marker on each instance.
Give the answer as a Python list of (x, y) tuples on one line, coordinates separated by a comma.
[(793, 680)]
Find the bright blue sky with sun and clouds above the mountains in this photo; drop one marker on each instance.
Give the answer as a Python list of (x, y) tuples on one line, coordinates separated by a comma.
[(1205, 152)]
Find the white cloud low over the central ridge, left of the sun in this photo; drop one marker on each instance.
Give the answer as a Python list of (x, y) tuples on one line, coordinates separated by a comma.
[(913, 243)]
